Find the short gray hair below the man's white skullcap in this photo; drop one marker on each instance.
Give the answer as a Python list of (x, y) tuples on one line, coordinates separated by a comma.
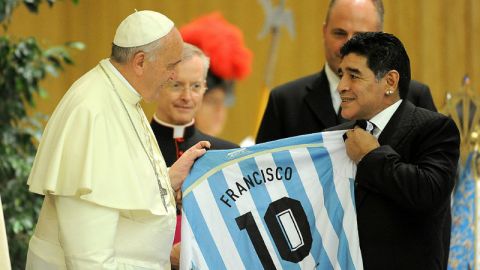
[(124, 54)]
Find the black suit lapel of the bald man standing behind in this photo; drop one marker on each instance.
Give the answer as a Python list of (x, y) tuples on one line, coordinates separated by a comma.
[(319, 100)]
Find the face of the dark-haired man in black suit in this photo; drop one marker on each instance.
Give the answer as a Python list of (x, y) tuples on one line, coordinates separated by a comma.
[(362, 95)]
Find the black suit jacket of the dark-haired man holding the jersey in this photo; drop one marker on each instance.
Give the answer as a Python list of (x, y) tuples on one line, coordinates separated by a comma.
[(402, 191)]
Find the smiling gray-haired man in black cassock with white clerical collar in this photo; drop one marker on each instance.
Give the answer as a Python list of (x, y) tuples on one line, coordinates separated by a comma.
[(173, 122)]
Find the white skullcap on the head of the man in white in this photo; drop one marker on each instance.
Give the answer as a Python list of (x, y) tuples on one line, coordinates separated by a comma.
[(141, 28)]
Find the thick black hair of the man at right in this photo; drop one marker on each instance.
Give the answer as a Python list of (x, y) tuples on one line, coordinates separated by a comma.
[(384, 52)]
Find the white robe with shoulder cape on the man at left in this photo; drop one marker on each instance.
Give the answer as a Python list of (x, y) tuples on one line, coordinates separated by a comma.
[(90, 151)]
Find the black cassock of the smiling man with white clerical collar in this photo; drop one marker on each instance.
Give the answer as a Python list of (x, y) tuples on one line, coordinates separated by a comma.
[(192, 135)]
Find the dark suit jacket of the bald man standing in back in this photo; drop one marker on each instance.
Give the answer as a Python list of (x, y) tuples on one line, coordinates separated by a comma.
[(305, 106)]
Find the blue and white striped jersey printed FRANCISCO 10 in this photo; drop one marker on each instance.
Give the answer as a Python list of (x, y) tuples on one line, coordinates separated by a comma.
[(286, 204)]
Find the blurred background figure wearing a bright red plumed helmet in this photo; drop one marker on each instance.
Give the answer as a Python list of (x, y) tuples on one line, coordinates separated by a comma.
[(230, 60)]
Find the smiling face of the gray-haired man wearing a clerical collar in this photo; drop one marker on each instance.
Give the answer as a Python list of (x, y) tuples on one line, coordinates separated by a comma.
[(180, 99)]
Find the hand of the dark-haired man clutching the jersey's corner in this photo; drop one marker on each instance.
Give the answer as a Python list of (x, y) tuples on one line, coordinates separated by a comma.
[(359, 143)]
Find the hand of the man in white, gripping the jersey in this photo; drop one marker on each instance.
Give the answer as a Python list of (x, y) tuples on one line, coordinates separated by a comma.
[(180, 169)]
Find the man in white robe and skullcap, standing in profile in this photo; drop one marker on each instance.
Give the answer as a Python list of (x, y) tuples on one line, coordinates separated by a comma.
[(109, 199)]
